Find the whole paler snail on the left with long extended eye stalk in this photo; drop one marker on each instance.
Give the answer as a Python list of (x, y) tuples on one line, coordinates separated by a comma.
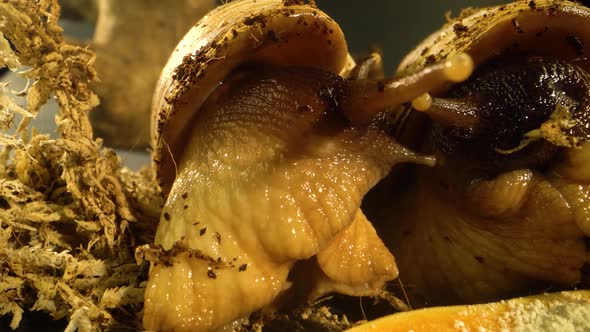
[(261, 166)]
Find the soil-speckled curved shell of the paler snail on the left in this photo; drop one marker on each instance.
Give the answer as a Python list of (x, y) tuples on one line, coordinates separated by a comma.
[(229, 36)]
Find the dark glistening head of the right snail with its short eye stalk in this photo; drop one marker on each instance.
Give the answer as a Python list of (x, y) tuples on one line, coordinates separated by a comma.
[(511, 113)]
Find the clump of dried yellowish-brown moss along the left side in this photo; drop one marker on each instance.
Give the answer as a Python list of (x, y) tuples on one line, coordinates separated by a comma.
[(70, 214)]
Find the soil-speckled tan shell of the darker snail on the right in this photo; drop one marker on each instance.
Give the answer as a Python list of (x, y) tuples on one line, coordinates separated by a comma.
[(500, 30)]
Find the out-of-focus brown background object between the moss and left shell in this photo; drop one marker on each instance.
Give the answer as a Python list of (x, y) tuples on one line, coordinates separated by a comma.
[(132, 40)]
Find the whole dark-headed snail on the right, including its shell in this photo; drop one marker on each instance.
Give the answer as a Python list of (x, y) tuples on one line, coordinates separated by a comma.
[(506, 211)]
